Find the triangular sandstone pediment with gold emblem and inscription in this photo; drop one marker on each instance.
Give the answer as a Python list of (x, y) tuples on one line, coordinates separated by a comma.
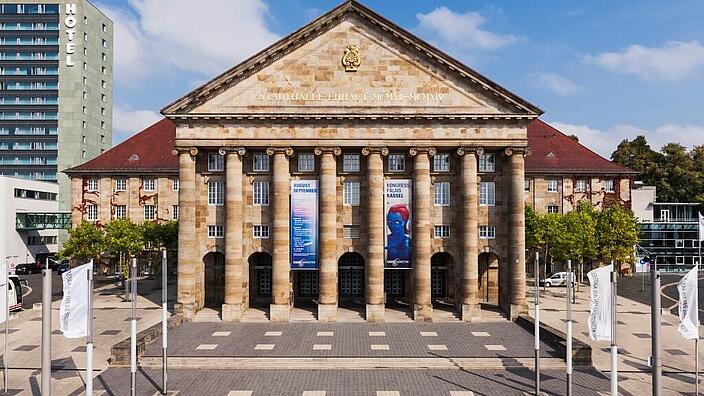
[(306, 73)]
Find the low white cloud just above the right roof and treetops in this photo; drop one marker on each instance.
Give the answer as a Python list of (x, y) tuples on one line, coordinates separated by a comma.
[(605, 142)]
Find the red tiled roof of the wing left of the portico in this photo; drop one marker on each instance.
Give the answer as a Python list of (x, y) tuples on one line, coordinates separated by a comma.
[(147, 151)]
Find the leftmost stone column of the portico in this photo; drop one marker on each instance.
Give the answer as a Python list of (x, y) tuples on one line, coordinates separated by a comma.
[(186, 300)]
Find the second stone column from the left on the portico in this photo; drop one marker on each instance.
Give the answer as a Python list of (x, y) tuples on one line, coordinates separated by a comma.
[(232, 309)]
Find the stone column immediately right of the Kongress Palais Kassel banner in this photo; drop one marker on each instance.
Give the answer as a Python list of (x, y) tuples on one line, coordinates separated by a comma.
[(421, 231)]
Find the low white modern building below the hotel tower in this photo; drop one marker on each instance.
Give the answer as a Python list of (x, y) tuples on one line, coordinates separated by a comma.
[(22, 241)]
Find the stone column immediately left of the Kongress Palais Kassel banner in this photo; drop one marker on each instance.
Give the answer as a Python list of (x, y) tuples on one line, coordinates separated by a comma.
[(375, 233)]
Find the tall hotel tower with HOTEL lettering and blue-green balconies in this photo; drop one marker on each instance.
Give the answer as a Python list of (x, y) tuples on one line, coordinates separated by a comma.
[(55, 88)]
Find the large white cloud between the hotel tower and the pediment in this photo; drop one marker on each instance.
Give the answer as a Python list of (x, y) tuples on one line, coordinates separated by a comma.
[(158, 36)]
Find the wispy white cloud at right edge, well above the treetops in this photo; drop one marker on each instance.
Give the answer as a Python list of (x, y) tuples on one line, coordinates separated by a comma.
[(673, 61)]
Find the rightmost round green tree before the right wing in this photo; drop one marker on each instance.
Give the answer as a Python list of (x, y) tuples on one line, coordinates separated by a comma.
[(617, 233)]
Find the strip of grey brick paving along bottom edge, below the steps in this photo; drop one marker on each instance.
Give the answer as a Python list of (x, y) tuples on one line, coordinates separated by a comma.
[(352, 382)]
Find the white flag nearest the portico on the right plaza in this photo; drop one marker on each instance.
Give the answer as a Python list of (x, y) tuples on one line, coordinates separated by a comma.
[(599, 320)]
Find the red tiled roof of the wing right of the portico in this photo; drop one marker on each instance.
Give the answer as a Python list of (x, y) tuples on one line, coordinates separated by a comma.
[(554, 152)]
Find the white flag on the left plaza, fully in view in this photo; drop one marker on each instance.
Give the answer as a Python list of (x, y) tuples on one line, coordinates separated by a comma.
[(73, 313)]
